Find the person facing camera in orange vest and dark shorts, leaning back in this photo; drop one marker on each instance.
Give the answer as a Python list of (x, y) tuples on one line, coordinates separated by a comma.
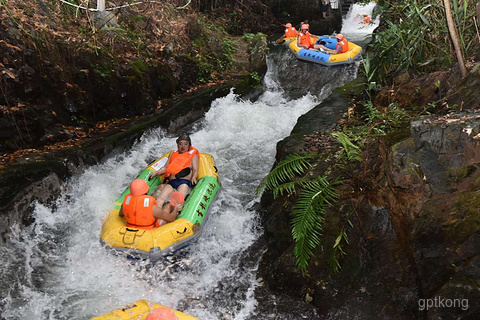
[(181, 170)]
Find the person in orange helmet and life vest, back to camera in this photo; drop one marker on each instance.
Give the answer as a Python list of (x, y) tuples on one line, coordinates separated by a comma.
[(141, 210)]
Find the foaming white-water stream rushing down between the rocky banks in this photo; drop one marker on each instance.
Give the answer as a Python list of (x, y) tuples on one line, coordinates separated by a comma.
[(56, 268)]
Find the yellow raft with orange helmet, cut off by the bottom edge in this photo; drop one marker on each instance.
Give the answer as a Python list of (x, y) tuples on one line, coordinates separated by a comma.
[(141, 309)]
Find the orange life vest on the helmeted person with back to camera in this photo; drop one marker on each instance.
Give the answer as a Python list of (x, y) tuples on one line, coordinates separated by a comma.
[(138, 211)]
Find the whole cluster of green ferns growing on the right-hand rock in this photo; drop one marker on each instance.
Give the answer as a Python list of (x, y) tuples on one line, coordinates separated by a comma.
[(314, 195)]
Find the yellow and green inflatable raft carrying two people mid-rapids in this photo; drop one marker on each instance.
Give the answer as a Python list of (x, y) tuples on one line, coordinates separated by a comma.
[(155, 243)]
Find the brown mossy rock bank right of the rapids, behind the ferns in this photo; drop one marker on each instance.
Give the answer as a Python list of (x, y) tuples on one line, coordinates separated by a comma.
[(413, 201)]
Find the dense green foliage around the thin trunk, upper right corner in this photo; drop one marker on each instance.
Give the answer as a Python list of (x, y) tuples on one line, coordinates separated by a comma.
[(415, 36)]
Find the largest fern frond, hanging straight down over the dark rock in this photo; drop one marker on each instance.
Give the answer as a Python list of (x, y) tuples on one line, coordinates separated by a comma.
[(308, 218)]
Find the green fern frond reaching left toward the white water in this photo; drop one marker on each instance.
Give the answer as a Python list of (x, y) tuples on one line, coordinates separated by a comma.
[(285, 170)]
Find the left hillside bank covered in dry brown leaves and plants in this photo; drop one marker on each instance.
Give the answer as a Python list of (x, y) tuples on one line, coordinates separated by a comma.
[(63, 80)]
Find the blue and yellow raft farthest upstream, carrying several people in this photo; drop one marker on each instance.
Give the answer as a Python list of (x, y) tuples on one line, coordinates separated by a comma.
[(326, 59)]
